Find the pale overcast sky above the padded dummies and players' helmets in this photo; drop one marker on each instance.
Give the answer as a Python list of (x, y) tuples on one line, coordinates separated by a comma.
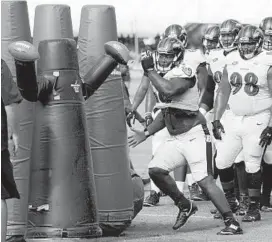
[(149, 17)]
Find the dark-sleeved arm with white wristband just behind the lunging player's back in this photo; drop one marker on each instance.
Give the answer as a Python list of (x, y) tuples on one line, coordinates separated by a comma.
[(206, 87)]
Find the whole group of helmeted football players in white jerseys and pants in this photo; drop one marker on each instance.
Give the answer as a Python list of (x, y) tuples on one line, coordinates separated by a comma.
[(209, 112)]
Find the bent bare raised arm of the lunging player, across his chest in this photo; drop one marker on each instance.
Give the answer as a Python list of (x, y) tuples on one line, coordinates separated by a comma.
[(172, 87)]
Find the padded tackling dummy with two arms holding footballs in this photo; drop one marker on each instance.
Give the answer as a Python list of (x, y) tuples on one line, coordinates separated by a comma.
[(63, 197)]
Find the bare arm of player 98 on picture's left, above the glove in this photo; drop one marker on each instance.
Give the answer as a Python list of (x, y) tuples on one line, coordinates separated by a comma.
[(222, 96)]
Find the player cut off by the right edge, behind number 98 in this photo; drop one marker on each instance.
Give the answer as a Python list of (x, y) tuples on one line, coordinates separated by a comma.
[(266, 27)]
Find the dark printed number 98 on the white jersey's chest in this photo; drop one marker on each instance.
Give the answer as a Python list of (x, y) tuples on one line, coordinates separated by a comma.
[(251, 88)]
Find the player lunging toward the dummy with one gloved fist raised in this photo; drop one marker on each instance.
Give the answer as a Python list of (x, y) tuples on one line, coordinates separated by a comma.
[(188, 133)]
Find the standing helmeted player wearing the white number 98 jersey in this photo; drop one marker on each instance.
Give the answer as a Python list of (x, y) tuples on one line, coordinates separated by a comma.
[(246, 86)]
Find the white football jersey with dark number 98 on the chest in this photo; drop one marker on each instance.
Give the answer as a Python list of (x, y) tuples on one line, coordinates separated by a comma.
[(250, 93)]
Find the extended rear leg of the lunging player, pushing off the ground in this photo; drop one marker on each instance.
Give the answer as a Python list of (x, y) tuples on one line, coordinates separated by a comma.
[(199, 161)]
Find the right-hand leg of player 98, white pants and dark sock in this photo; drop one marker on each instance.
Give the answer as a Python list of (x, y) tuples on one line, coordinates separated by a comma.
[(253, 152)]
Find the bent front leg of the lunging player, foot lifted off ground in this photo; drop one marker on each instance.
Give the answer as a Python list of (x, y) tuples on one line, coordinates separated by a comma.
[(166, 159)]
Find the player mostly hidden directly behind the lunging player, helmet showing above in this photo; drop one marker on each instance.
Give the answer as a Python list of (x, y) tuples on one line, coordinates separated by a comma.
[(195, 58)]
